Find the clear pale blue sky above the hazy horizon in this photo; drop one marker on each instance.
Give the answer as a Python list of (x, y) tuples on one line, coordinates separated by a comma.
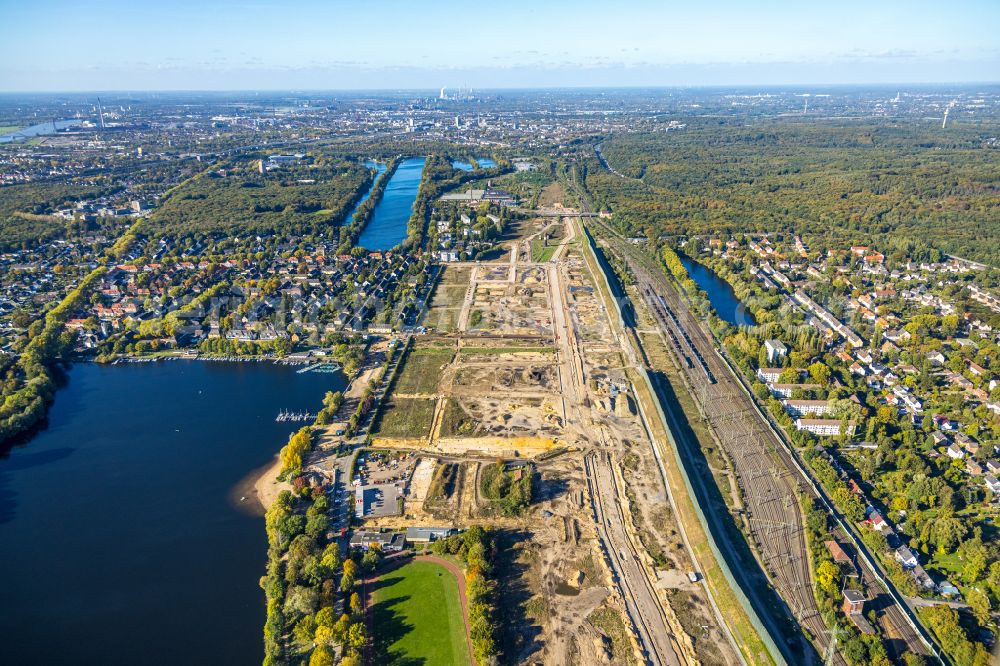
[(272, 44)]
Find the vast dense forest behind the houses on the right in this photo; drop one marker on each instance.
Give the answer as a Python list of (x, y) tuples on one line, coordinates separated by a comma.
[(844, 180)]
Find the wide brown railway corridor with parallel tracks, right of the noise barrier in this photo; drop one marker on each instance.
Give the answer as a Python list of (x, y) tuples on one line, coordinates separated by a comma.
[(731, 405)]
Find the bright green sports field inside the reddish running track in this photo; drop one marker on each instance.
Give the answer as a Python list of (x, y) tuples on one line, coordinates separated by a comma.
[(418, 617)]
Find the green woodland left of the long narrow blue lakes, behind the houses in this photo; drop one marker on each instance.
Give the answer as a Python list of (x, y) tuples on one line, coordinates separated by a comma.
[(303, 198)]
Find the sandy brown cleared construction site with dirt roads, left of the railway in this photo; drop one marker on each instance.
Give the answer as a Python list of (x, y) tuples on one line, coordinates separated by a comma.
[(520, 364)]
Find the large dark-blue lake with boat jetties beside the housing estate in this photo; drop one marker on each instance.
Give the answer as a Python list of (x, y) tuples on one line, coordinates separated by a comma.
[(120, 540)]
